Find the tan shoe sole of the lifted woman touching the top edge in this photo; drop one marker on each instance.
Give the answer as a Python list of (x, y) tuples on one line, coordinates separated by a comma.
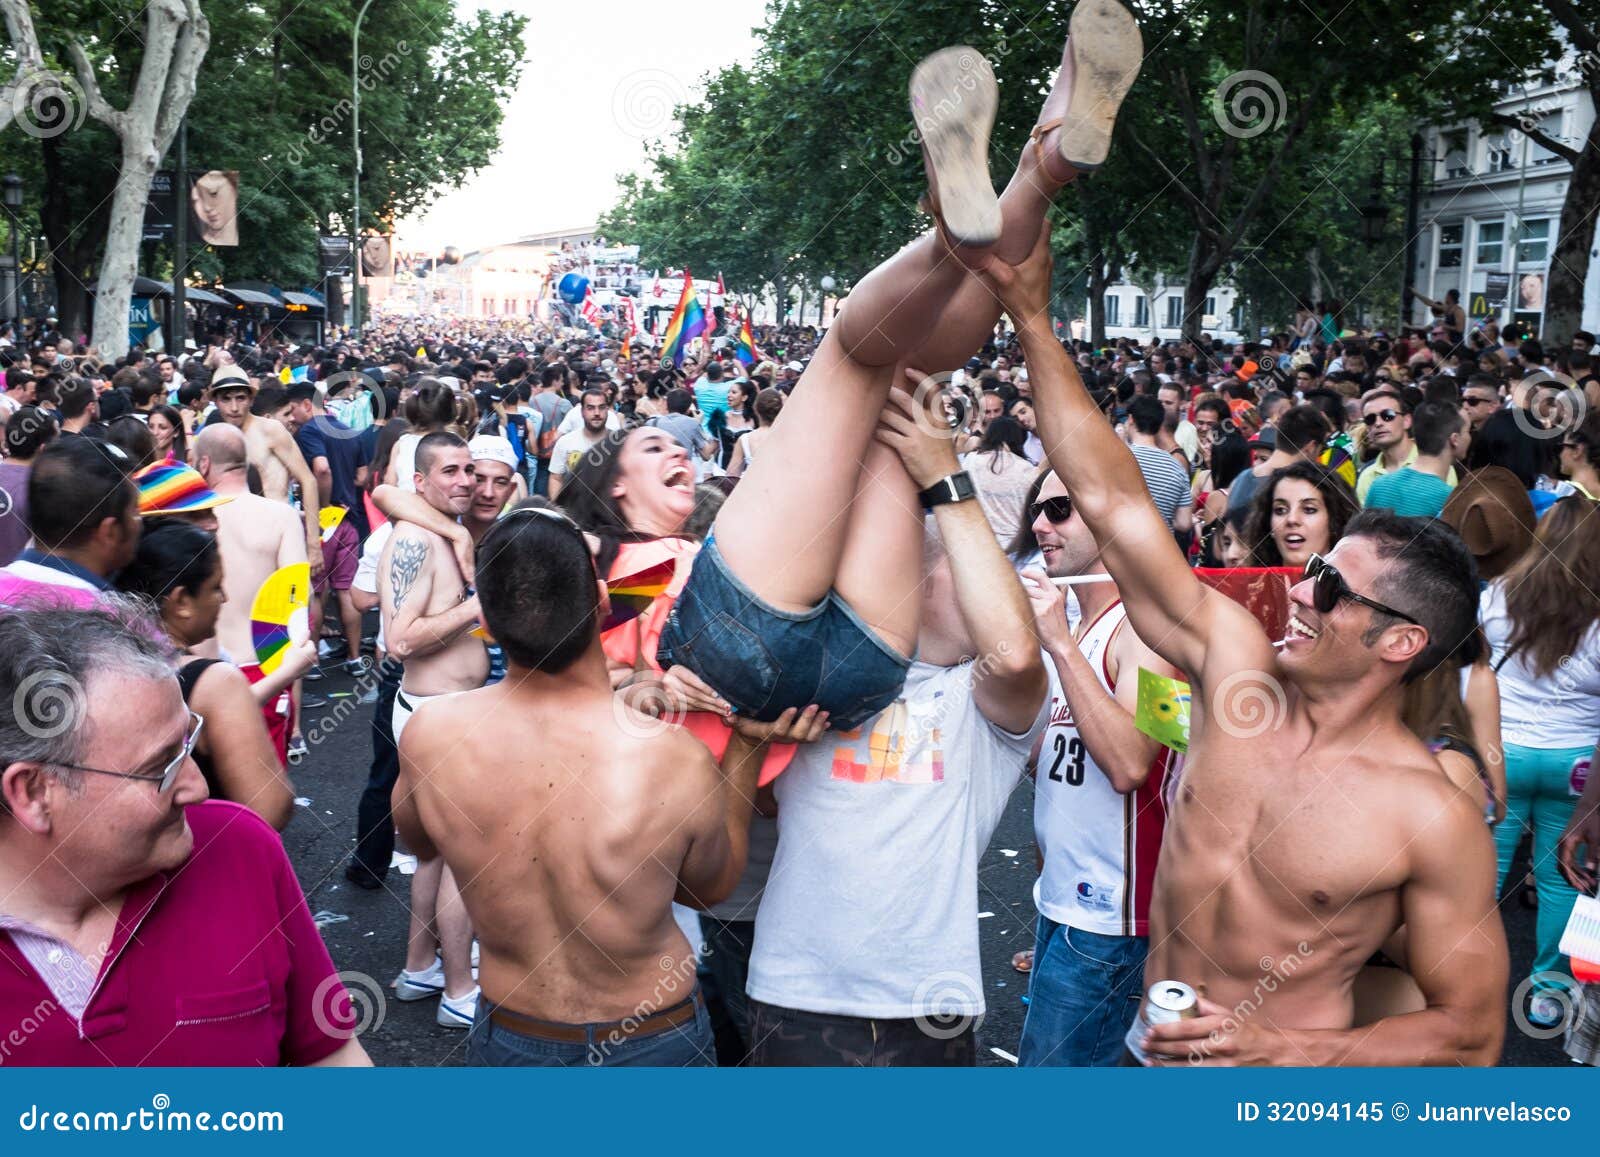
[(1106, 55)]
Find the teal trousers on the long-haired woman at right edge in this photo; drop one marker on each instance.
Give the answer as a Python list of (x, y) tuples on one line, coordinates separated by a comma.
[(1542, 791)]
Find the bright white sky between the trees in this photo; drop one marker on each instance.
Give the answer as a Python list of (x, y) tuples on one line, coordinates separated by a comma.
[(599, 81)]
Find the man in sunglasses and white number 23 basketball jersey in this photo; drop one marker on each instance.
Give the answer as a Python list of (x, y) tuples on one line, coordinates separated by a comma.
[(1098, 807)]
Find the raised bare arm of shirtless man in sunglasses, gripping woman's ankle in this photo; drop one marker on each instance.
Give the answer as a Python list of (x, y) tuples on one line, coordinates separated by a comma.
[(1167, 604)]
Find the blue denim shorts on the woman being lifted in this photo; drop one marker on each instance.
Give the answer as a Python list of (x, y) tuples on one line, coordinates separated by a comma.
[(764, 662)]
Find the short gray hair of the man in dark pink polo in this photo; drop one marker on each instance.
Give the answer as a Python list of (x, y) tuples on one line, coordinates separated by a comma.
[(47, 659)]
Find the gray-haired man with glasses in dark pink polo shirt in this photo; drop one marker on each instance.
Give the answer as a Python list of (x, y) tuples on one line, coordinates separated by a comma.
[(140, 924)]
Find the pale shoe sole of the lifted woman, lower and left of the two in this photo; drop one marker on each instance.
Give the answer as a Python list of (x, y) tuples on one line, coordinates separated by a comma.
[(954, 100)]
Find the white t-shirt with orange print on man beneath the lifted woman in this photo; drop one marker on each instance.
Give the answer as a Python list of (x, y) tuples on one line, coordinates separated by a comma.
[(871, 908)]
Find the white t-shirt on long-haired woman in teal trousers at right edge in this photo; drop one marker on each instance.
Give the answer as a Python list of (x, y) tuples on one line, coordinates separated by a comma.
[(1561, 710)]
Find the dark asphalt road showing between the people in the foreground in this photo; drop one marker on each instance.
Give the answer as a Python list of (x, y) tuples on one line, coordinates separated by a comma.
[(366, 931)]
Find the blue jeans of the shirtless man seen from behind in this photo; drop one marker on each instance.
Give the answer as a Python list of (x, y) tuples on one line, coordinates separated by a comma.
[(679, 1047)]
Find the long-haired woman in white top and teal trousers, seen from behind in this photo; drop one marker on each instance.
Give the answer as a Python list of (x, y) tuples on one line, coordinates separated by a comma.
[(1543, 625)]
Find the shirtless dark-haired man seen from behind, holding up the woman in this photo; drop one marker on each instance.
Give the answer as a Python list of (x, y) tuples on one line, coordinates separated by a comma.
[(574, 833)]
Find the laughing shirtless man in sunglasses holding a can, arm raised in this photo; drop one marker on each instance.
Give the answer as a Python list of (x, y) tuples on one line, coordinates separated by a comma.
[(1310, 823)]
